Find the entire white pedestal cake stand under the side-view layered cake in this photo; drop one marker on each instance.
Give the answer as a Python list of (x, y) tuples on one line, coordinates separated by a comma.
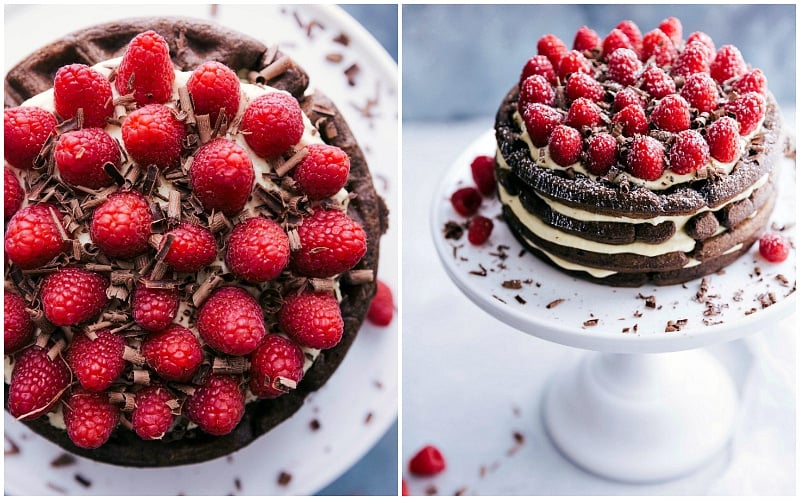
[(649, 404)]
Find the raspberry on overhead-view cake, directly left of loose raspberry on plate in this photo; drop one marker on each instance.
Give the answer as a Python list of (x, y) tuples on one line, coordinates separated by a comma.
[(312, 319)]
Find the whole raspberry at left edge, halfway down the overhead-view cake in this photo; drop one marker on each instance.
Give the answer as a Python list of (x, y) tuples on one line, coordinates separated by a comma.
[(32, 236)]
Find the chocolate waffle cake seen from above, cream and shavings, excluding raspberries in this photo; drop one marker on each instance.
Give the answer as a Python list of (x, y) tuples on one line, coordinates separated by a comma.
[(275, 196)]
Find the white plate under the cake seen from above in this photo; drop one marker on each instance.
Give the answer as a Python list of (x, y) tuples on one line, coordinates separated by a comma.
[(359, 402)]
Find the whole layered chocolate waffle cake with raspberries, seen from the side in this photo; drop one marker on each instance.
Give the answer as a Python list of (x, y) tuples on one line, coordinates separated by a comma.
[(620, 175)]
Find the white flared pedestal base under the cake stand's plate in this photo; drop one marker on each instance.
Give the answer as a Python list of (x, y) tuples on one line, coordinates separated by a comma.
[(641, 417)]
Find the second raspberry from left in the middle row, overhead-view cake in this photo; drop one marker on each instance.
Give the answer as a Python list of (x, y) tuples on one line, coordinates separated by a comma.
[(121, 225)]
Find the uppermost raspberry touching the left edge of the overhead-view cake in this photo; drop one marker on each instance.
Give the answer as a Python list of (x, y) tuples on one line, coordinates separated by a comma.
[(25, 130)]
